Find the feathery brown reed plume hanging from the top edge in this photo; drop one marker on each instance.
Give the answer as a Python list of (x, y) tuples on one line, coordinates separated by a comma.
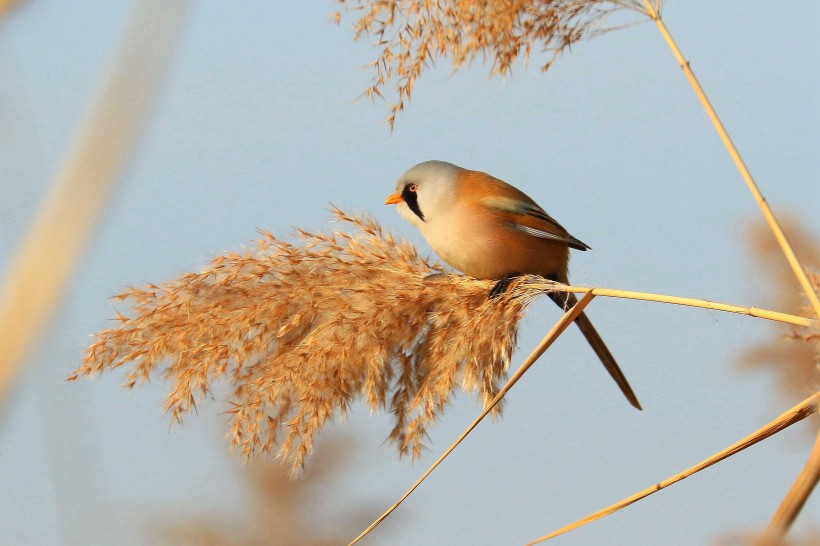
[(412, 34)]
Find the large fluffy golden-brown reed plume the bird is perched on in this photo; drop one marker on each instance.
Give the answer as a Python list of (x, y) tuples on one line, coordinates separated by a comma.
[(301, 331)]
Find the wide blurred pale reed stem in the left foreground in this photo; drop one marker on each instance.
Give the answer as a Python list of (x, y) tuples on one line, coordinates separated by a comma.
[(50, 250)]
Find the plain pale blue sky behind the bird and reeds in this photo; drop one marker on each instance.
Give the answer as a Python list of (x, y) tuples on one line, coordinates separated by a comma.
[(258, 127)]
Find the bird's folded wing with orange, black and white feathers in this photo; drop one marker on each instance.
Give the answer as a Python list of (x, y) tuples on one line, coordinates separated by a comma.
[(528, 217)]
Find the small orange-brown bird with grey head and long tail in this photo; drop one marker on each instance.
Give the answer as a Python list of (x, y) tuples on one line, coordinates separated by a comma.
[(489, 229)]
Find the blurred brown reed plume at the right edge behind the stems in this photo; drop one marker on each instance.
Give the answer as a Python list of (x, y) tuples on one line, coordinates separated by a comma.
[(793, 354)]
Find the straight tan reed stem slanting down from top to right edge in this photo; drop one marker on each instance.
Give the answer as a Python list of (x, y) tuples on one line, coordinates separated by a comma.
[(785, 246)]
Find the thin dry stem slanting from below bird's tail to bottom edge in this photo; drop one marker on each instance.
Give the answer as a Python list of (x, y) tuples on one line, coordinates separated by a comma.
[(548, 340)]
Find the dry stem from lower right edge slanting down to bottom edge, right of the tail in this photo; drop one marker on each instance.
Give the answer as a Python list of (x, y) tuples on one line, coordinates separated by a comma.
[(790, 417)]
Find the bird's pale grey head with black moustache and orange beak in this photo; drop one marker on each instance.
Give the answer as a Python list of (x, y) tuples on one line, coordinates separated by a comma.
[(425, 190)]
